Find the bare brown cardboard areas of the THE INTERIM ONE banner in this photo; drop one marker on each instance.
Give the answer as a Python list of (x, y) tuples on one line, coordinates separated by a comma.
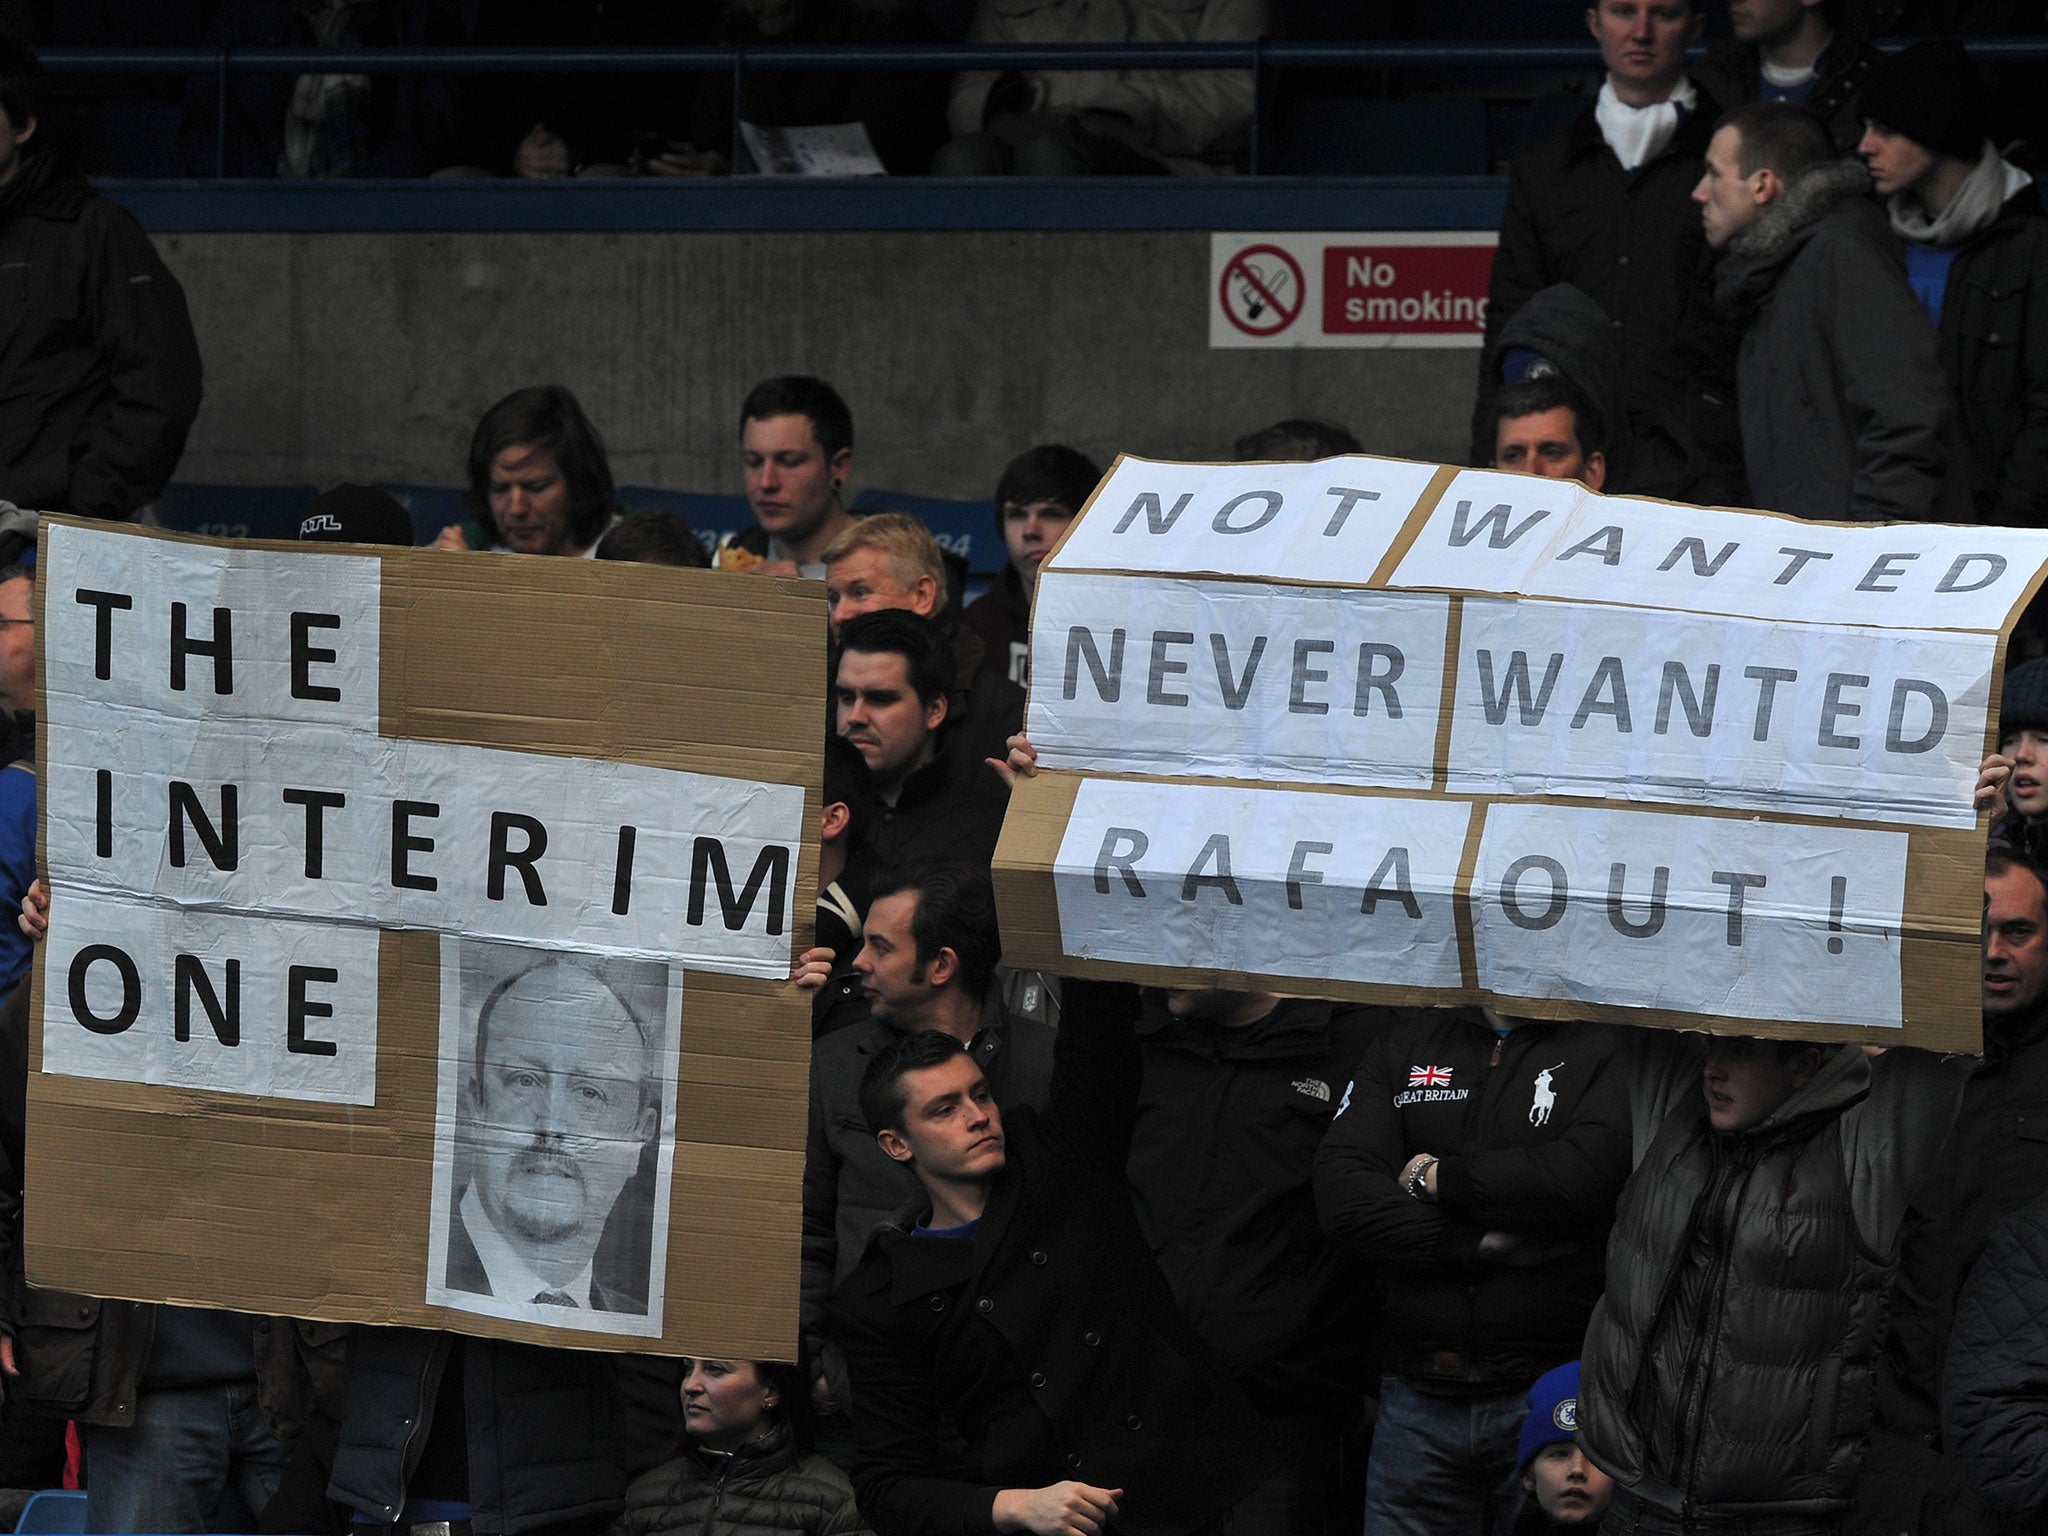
[(290, 1207)]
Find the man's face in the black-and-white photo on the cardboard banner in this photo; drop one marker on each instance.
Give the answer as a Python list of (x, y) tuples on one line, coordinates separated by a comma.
[(560, 1107)]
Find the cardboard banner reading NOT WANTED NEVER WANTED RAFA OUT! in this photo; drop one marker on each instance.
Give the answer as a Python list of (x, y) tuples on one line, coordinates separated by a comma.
[(1404, 732)]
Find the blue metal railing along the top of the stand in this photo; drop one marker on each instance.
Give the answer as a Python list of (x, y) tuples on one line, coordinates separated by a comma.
[(738, 60)]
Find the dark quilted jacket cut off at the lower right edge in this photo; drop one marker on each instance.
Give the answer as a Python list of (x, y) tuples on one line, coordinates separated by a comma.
[(1996, 1390)]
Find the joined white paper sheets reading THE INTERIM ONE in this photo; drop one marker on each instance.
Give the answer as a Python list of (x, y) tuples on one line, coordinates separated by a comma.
[(218, 790)]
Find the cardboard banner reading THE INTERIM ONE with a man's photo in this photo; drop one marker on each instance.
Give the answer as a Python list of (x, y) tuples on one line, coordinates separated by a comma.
[(419, 939)]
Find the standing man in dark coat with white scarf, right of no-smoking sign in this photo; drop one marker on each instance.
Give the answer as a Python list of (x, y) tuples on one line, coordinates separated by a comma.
[(1605, 206)]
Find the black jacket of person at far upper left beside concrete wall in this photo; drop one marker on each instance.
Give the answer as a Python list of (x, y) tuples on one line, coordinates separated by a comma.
[(99, 372)]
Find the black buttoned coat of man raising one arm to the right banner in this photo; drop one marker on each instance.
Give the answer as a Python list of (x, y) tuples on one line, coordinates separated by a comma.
[(1050, 1340)]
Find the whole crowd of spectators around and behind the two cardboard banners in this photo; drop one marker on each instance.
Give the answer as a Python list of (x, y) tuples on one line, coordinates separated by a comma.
[(1080, 1258)]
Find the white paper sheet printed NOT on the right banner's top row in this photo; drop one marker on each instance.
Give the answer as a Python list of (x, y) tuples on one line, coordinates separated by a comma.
[(1326, 521)]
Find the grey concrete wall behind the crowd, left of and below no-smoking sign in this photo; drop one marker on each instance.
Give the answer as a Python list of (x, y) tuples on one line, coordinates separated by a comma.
[(370, 355)]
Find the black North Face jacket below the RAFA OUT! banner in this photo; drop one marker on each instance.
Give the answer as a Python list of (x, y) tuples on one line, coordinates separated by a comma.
[(1222, 1172)]
